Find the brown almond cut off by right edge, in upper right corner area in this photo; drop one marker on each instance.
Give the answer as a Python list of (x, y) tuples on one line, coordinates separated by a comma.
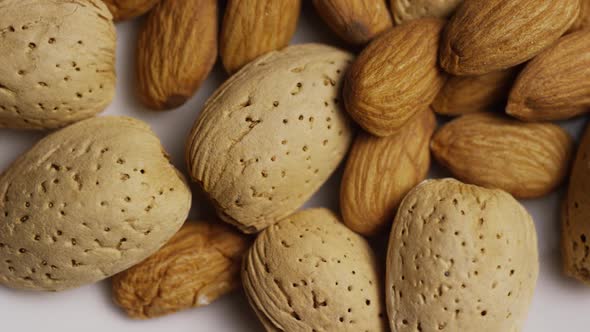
[(556, 84)]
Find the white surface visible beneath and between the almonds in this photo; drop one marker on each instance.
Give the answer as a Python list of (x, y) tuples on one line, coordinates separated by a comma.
[(559, 302)]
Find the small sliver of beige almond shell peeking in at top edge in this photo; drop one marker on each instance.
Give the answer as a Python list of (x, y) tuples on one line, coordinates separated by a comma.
[(405, 10)]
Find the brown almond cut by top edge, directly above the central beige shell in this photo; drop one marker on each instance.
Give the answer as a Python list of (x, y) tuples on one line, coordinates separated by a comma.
[(252, 28)]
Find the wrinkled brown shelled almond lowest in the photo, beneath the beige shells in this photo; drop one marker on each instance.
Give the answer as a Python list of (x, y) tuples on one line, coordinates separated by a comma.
[(197, 266)]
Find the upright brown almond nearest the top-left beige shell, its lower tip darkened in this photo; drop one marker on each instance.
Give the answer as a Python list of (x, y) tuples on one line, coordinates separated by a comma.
[(176, 50)]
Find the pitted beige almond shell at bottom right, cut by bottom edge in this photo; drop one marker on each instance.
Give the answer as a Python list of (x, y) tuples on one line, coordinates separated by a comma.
[(460, 258)]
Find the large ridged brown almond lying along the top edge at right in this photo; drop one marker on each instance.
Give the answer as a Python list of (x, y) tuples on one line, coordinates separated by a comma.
[(489, 35)]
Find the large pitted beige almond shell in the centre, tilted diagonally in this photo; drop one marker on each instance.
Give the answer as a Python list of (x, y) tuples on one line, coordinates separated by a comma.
[(271, 135)]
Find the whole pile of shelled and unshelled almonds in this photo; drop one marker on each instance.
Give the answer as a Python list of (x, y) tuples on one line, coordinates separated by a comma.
[(99, 198)]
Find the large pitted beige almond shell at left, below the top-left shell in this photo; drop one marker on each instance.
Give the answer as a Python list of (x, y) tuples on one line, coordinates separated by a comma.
[(87, 202)]
